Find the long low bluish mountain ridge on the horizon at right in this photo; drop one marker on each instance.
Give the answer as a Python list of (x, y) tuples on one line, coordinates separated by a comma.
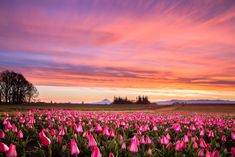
[(171, 102)]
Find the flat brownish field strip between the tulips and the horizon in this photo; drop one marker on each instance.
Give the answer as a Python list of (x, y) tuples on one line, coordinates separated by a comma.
[(224, 108)]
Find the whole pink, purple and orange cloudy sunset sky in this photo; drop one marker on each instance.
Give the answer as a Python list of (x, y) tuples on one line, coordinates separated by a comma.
[(88, 50)]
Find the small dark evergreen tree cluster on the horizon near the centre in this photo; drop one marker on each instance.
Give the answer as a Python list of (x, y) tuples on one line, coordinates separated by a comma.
[(139, 100)]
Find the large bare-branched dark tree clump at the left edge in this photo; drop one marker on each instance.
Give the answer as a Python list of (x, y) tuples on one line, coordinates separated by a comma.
[(15, 89)]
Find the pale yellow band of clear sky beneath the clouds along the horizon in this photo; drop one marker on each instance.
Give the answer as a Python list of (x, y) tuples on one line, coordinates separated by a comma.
[(96, 94)]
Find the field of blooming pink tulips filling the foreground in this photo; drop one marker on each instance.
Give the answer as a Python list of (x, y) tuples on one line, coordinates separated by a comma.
[(72, 133)]
